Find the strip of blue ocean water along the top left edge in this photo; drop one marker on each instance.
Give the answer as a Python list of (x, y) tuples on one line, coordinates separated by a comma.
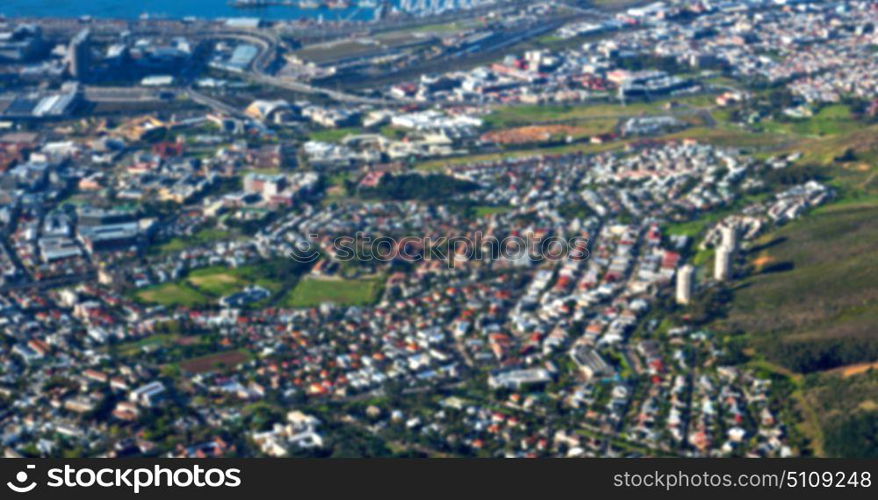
[(171, 9)]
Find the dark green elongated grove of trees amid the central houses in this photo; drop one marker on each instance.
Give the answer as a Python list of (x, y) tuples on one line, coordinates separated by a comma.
[(418, 187)]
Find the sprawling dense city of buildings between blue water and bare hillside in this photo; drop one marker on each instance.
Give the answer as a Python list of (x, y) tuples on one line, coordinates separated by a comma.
[(521, 233)]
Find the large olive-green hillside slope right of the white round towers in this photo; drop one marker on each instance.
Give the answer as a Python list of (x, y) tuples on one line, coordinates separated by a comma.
[(819, 277)]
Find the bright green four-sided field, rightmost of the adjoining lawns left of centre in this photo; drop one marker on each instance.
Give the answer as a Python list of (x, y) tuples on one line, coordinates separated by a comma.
[(312, 292)]
